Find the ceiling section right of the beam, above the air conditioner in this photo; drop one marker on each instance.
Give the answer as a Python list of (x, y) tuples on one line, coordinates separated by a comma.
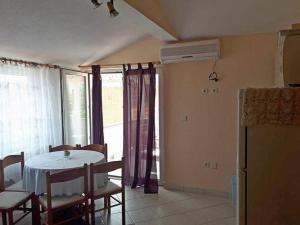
[(210, 18)]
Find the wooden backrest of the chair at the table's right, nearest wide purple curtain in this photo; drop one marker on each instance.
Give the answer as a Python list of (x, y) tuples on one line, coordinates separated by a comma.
[(106, 168)]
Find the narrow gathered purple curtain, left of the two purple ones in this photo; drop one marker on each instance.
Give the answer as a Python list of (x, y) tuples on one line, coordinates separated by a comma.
[(97, 116)]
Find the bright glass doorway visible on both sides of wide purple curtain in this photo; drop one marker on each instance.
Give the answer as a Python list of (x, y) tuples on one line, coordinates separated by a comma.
[(112, 102)]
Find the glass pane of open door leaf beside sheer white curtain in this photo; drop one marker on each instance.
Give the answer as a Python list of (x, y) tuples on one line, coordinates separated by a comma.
[(75, 110)]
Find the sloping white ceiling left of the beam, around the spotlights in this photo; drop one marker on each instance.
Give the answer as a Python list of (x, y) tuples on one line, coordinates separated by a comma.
[(65, 32)]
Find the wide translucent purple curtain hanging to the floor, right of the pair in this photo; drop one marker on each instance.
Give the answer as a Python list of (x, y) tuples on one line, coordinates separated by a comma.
[(139, 128)]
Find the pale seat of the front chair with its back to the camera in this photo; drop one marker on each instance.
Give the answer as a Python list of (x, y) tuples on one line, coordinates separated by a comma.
[(59, 201)]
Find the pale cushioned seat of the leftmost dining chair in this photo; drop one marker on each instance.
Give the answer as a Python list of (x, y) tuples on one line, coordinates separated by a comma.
[(12, 199)]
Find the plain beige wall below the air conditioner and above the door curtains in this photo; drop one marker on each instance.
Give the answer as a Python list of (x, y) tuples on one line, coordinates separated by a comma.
[(210, 133)]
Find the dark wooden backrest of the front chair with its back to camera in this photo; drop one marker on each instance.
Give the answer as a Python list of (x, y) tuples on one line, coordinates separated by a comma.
[(65, 176)]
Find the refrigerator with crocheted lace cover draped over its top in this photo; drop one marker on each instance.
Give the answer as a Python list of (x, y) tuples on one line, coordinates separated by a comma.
[(269, 157)]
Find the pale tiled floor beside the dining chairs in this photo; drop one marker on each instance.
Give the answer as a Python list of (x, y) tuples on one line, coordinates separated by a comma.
[(170, 207)]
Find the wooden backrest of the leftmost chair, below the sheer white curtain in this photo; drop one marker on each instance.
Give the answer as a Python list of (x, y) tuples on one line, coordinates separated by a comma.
[(8, 161)]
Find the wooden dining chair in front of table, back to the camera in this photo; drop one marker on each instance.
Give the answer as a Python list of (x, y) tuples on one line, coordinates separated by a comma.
[(52, 204)]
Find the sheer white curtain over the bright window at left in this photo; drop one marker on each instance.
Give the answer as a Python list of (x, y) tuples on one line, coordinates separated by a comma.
[(30, 109)]
